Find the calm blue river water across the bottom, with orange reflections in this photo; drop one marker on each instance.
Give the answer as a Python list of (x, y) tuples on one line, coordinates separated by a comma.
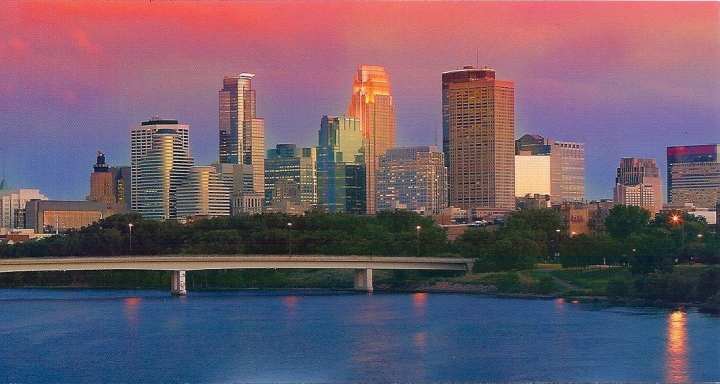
[(320, 336)]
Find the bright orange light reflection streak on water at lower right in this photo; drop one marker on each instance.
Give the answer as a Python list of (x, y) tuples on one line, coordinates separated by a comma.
[(676, 350)]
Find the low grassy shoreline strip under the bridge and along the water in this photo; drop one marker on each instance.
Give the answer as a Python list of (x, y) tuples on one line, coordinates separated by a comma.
[(549, 281)]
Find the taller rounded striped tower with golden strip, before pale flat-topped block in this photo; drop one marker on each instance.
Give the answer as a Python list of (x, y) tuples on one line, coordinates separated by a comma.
[(160, 172)]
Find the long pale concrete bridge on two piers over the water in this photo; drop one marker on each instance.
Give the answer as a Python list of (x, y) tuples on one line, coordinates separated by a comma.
[(178, 264)]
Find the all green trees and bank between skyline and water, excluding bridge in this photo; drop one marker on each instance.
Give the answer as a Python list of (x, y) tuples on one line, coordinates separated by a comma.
[(672, 259)]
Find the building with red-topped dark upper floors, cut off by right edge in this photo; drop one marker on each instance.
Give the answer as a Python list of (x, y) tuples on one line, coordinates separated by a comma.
[(694, 175)]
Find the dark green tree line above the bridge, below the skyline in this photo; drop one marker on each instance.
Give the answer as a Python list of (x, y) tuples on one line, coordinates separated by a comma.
[(526, 238)]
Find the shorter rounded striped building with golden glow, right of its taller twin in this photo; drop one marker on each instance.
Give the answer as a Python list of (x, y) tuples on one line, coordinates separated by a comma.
[(203, 193)]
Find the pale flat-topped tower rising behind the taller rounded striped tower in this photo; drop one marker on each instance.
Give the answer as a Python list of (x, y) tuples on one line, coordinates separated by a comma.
[(141, 142)]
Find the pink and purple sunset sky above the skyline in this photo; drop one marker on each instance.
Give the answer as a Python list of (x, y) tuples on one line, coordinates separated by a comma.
[(626, 79)]
